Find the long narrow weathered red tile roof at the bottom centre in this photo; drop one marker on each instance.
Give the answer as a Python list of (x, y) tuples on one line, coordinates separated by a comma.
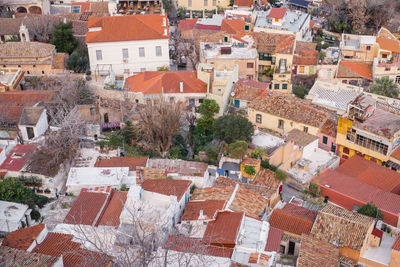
[(196, 246)]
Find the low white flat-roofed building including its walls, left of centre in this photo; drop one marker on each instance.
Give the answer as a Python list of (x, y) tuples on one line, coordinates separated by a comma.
[(88, 177)]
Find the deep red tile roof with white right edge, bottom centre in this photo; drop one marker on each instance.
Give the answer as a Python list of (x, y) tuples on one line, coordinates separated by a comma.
[(224, 230)]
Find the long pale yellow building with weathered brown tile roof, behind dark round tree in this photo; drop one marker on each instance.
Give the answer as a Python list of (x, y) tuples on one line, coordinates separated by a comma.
[(282, 113)]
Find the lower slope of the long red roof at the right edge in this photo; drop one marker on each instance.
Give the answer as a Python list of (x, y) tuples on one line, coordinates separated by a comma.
[(365, 193)]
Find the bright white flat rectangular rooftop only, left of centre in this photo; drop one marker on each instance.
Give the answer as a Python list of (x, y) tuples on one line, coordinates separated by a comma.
[(94, 176)]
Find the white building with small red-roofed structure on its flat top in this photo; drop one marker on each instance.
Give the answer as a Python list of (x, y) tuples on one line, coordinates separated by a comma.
[(283, 21)]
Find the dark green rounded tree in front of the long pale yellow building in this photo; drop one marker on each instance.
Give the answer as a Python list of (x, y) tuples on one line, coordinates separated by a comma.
[(230, 128)]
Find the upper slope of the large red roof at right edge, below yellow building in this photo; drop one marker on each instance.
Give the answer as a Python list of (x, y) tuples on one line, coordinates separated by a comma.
[(371, 173)]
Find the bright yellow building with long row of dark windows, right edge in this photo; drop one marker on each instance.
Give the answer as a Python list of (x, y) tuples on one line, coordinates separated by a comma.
[(369, 130)]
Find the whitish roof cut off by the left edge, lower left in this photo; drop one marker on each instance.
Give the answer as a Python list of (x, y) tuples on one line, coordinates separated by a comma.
[(11, 214)]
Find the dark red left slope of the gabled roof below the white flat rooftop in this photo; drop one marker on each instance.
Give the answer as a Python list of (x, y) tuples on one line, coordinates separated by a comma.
[(86, 208)]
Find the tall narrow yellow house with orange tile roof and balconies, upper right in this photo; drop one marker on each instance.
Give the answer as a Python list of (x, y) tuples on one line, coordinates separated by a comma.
[(275, 56)]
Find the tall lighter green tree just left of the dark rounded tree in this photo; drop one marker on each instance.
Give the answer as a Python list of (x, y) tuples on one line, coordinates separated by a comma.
[(208, 109)]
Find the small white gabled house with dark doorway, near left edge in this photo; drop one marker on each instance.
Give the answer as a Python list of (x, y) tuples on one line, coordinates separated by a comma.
[(33, 122)]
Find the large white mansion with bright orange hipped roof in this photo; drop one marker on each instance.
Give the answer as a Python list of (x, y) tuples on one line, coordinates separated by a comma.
[(128, 44)]
